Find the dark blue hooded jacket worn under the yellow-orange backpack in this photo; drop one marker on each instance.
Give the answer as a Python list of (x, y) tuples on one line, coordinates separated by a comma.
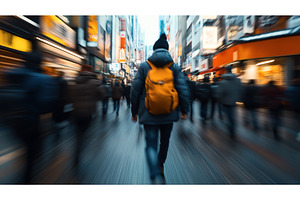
[(159, 58)]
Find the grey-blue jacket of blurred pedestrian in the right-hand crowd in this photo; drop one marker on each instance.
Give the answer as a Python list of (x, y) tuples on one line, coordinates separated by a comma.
[(230, 89)]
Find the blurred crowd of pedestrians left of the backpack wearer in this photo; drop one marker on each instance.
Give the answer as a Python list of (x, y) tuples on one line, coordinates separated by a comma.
[(36, 101)]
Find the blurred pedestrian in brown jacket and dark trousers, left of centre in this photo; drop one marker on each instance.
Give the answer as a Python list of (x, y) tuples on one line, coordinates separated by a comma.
[(85, 105)]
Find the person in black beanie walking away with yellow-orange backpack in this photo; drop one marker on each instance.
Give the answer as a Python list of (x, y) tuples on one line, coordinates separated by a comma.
[(158, 93)]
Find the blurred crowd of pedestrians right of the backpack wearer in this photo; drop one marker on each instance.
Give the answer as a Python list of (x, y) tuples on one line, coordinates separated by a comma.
[(226, 92)]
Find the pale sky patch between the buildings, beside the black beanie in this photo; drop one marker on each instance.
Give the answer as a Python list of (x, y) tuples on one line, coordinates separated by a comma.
[(150, 25)]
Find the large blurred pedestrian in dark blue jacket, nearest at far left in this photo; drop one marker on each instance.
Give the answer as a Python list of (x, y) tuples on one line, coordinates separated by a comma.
[(38, 97)]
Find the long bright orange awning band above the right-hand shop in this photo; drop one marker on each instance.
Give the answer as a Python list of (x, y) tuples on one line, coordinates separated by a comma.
[(284, 46)]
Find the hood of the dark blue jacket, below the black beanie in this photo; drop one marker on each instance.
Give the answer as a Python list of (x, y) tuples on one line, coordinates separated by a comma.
[(160, 57)]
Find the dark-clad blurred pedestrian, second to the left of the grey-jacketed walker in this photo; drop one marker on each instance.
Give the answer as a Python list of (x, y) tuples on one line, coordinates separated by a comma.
[(203, 93)]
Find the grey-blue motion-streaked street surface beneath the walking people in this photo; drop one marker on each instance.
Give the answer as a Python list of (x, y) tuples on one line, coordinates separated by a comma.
[(198, 154)]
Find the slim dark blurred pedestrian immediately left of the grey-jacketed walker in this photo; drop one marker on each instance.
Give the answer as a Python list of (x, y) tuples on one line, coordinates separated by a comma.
[(215, 105)]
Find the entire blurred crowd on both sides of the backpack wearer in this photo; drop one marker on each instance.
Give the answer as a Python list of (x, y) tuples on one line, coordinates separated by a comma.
[(31, 98)]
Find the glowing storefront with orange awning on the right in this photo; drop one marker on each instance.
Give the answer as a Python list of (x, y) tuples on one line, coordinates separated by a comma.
[(269, 56)]
